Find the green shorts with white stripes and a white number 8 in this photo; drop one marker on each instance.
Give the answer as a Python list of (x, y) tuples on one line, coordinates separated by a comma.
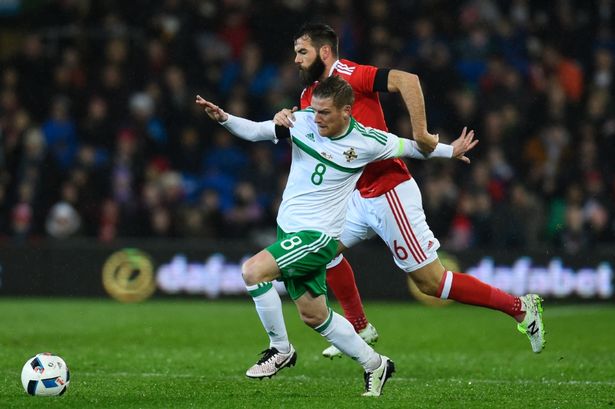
[(302, 258)]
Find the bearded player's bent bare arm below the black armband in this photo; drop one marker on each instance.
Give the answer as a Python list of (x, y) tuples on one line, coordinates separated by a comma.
[(409, 86)]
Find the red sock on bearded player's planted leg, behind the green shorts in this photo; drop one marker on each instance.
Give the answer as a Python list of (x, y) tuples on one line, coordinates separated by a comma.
[(341, 281)]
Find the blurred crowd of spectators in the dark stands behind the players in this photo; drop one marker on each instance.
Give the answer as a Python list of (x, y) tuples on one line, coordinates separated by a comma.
[(100, 136)]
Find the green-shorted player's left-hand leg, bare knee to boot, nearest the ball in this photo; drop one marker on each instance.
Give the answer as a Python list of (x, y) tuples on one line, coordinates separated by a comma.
[(258, 272)]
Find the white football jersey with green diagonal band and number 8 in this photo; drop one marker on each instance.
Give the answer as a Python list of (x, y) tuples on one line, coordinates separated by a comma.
[(324, 172)]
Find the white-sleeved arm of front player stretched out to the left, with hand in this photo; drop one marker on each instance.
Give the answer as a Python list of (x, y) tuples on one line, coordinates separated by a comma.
[(241, 127)]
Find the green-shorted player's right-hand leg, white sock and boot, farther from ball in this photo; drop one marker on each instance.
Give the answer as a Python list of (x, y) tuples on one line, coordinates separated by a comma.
[(339, 331)]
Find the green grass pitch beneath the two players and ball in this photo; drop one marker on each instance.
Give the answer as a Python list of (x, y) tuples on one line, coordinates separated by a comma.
[(193, 354)]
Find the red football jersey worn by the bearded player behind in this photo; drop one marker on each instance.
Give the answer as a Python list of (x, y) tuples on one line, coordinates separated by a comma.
[(378, 177)]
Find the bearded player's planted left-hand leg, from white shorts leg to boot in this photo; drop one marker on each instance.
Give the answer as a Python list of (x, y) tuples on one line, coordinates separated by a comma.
[(341, 281)]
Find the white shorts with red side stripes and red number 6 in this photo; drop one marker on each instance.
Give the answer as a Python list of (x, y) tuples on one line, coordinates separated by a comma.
[(398, 218)]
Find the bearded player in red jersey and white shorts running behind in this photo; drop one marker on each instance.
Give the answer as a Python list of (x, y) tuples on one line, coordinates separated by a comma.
[(387, 200)]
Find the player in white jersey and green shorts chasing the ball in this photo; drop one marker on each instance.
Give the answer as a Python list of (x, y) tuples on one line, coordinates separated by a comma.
[(329, 151)]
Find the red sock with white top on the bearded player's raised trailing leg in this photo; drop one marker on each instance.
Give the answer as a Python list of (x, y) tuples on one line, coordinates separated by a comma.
[(469, 290)]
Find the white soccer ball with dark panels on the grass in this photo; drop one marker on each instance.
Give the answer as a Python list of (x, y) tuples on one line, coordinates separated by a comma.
[(45, 375)]
